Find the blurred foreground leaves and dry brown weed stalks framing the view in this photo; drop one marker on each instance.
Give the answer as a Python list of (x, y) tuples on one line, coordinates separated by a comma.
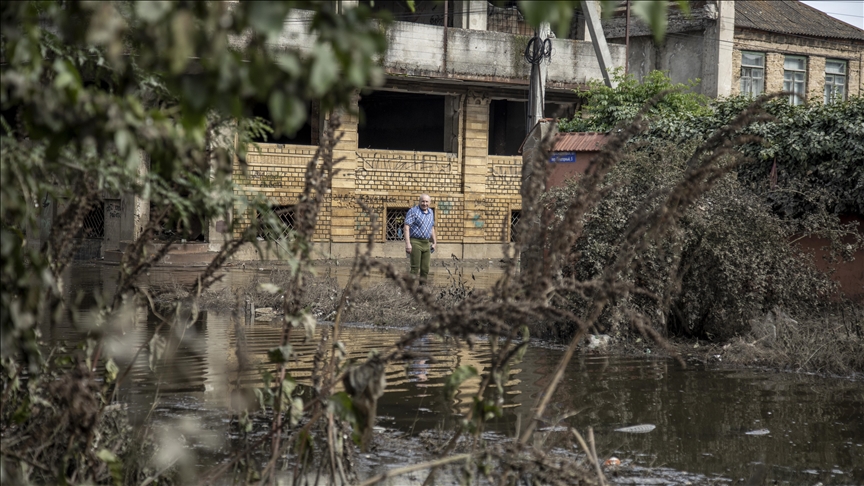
[(91, 88)]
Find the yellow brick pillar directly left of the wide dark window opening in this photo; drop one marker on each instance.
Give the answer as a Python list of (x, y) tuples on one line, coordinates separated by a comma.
[(344, 210)]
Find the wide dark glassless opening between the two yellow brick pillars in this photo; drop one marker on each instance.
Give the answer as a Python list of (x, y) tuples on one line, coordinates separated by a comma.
[(402, 121)]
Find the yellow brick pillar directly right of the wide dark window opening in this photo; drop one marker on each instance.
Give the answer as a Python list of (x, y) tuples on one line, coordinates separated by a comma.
[(474, 169)]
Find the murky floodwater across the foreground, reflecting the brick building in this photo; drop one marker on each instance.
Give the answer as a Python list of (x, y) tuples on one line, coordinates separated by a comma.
[(712, 426)]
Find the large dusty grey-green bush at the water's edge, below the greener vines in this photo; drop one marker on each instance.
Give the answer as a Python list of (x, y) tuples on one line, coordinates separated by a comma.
[(729, 260)]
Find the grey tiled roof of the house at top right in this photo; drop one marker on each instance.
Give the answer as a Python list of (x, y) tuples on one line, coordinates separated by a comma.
[(792, 17)]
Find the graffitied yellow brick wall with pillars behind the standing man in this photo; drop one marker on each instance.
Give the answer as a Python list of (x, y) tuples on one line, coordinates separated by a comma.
[(472, 193)]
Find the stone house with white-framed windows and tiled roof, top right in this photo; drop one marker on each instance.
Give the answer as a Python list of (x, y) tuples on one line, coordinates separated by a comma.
[(751, 46)]
